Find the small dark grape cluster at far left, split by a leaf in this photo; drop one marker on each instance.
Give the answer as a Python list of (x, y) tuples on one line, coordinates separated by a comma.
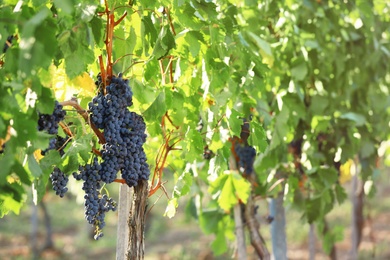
[(49, 123)]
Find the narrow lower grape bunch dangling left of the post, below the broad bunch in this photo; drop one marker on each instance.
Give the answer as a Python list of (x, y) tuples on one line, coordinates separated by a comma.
[(96, 205)]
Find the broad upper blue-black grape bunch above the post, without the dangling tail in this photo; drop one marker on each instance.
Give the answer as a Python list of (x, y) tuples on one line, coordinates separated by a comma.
[(124, 132)]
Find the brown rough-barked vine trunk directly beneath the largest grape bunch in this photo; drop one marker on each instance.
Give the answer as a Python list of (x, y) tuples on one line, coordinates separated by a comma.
[(136, 222)]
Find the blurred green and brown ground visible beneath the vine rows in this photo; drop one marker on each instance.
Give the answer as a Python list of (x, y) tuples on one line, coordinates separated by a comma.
[(176, 238)]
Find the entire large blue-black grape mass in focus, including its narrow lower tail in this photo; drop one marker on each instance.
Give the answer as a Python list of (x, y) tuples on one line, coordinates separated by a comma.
[(124, 133)]
